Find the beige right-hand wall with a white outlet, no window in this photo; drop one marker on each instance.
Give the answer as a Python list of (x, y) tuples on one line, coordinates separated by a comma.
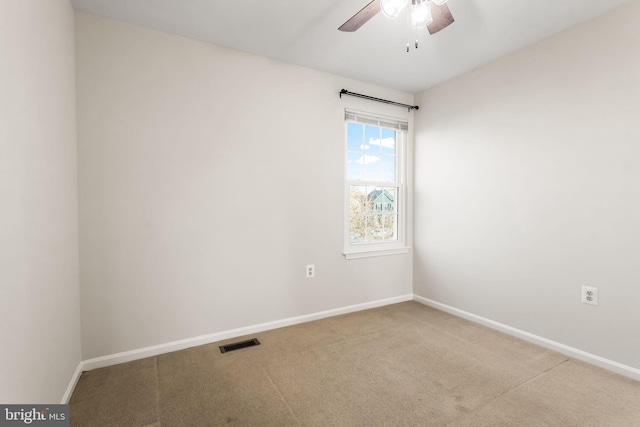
[(528, 187)]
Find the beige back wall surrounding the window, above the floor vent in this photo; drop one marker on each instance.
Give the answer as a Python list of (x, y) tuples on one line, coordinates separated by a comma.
[(209, 178)]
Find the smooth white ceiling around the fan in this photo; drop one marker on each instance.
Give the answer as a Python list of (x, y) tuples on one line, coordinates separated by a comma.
[(305, 33)]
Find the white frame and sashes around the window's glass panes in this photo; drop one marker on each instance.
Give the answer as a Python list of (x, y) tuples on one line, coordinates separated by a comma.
[(399, 246)]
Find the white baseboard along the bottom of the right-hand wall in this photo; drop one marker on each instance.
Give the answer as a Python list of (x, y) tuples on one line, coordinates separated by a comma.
[(593, 359)]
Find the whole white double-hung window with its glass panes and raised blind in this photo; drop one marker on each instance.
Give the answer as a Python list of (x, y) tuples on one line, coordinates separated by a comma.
[(375, 192)]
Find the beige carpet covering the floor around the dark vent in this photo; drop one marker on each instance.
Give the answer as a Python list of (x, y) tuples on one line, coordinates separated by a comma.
[(400, 365)]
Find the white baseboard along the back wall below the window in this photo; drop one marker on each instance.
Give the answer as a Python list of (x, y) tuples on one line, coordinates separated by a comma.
[(127, 356)]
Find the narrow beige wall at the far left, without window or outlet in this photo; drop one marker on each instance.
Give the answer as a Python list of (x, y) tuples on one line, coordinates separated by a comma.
[(39, 302)]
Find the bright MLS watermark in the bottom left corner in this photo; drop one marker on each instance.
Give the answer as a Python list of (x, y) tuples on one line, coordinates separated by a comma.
[(35, 415)]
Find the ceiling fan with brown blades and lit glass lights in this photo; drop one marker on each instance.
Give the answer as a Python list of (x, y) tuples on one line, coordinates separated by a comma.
[(432, 14)]
